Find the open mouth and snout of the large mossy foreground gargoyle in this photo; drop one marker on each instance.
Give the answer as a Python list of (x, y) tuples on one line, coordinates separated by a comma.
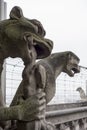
[(42, 45)]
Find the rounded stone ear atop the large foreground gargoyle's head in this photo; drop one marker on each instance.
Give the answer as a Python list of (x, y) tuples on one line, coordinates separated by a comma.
[(16, 13)]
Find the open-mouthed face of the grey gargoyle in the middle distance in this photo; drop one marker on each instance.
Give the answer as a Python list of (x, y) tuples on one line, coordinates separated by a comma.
[(72, 62)]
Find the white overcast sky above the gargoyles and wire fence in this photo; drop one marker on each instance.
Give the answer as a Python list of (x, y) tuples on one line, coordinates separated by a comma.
[(65, 22)]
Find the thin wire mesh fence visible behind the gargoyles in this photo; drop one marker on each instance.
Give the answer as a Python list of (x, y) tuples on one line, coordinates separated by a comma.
[(65, 85)]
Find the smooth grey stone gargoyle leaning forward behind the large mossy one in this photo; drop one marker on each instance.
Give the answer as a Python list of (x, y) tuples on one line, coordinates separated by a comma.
[(51, 66)]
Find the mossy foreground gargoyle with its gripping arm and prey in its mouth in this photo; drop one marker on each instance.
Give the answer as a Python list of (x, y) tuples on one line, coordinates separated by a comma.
[(24, 38)]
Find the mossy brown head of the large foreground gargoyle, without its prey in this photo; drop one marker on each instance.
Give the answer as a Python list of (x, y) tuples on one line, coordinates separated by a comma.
[(13, 32)]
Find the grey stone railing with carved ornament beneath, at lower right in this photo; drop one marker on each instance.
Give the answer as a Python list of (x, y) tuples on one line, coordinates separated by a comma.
[(69, 119)]
